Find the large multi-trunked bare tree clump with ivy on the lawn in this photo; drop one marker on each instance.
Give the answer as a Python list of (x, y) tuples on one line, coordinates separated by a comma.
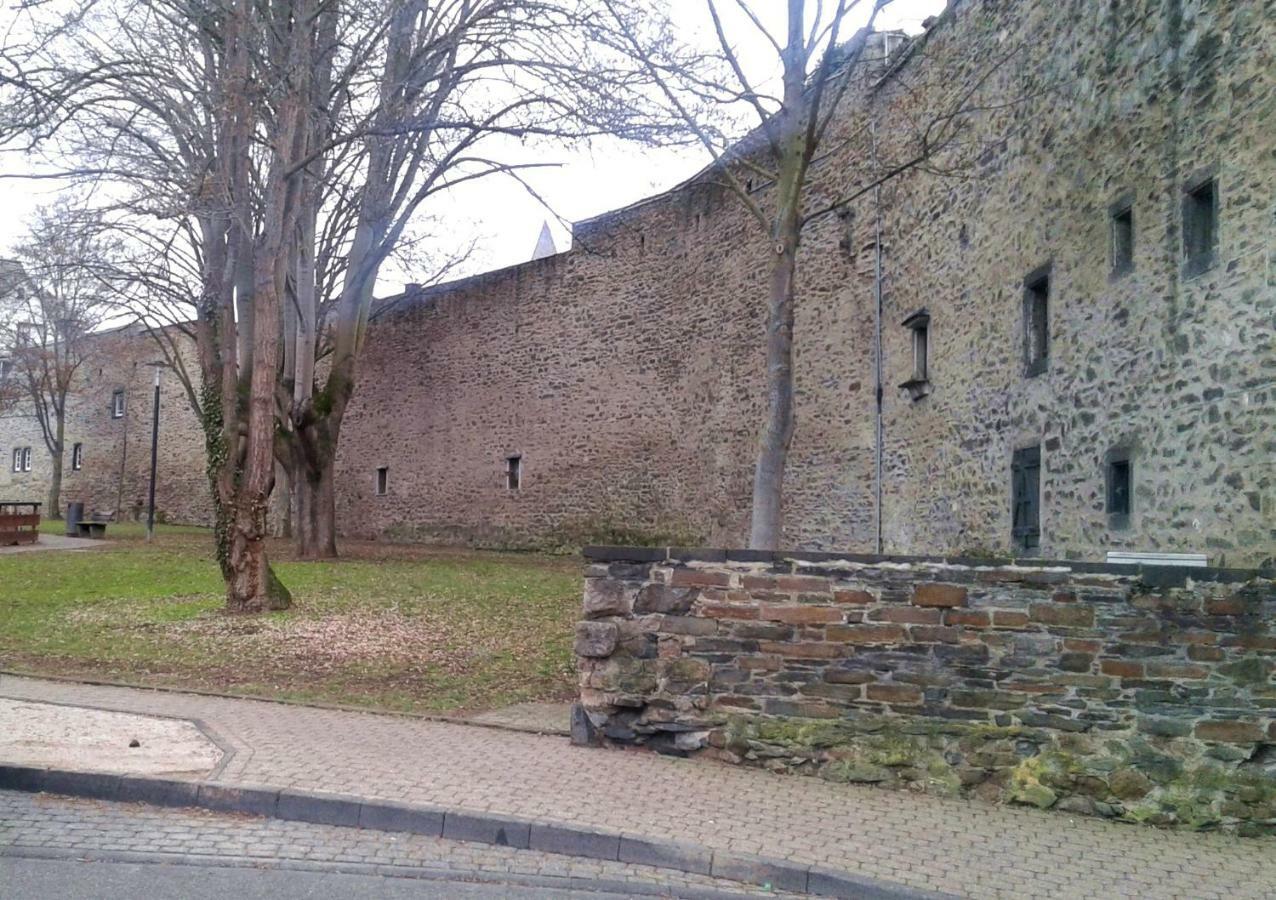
[(289, 144)]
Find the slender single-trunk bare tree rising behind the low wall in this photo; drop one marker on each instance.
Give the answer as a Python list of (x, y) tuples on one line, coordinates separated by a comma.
[(801, 118)]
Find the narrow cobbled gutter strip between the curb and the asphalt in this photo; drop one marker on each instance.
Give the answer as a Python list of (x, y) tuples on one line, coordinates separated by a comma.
[(85, 828)]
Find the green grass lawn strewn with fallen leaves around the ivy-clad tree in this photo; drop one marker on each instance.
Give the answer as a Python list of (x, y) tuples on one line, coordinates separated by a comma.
[(390, 627)]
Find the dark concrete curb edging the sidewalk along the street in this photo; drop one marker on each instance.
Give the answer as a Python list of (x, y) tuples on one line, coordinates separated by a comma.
[(484, 828)]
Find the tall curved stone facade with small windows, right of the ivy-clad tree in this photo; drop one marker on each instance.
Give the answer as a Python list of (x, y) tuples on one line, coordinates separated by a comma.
[(1092, 269)]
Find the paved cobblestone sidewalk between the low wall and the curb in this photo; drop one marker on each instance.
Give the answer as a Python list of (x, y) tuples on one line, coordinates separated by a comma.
[(959, 847)]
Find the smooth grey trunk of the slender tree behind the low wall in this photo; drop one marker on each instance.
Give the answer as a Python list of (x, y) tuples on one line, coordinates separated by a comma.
[(778, 435)]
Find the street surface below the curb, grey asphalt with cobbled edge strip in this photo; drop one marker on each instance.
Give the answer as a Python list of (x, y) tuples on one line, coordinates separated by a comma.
[(72, 850)]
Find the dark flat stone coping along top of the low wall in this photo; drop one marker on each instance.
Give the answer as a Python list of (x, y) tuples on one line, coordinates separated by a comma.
[(1154, 576)]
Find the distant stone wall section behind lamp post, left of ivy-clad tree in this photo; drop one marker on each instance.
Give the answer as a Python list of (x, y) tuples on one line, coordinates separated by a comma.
[(117, 451)]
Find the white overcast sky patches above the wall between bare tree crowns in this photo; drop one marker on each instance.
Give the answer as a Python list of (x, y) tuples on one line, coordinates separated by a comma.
[(498, 214)]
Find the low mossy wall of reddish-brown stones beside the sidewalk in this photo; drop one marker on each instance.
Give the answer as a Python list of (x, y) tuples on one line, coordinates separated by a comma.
[(1130, 693)]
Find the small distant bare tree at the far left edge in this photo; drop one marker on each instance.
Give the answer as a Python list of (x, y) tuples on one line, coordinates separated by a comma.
[(54, 294)]
